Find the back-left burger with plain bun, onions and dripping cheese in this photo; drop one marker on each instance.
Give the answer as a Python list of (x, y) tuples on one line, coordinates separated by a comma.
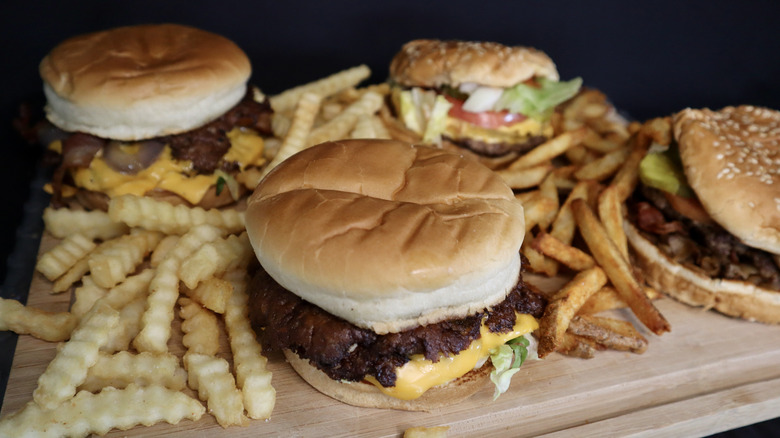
[(159, 110)]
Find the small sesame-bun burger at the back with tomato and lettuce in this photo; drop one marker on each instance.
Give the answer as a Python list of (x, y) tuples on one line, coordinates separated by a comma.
[(485, 97)]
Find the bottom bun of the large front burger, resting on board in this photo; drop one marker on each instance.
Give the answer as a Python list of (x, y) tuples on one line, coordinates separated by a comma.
[(369, 396)]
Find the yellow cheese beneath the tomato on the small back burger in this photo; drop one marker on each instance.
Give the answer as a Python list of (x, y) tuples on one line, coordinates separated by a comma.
[(504, 134)]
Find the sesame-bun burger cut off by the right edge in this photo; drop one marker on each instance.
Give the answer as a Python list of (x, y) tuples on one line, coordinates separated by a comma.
[(705, 220)]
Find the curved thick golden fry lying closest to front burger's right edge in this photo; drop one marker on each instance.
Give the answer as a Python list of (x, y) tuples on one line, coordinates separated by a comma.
[(564, 305)]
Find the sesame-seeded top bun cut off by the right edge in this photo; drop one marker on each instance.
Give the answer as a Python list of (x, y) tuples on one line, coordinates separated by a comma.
[(732, 162)]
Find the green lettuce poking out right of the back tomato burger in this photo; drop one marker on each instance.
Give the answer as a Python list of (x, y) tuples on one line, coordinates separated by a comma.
[(538, 103)]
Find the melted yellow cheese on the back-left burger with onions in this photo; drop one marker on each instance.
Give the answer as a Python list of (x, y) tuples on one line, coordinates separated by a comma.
[(246, 148)]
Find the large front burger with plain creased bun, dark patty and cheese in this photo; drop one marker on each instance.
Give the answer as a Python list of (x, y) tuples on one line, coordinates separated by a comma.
[(390, 274)]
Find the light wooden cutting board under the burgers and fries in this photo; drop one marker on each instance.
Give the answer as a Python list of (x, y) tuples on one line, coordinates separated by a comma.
[(711, 373)]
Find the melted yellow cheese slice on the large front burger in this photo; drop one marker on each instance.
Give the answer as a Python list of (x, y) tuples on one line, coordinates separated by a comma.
[(419, 374)]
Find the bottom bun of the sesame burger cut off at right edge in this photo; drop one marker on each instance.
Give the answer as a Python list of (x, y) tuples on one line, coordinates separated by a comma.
[(731, 297)]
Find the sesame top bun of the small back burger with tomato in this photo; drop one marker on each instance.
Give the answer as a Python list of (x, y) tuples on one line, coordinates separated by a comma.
[(433, 63)]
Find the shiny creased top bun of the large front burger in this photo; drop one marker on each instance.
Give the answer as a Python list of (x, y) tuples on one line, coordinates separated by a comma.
[(387, 235)]
